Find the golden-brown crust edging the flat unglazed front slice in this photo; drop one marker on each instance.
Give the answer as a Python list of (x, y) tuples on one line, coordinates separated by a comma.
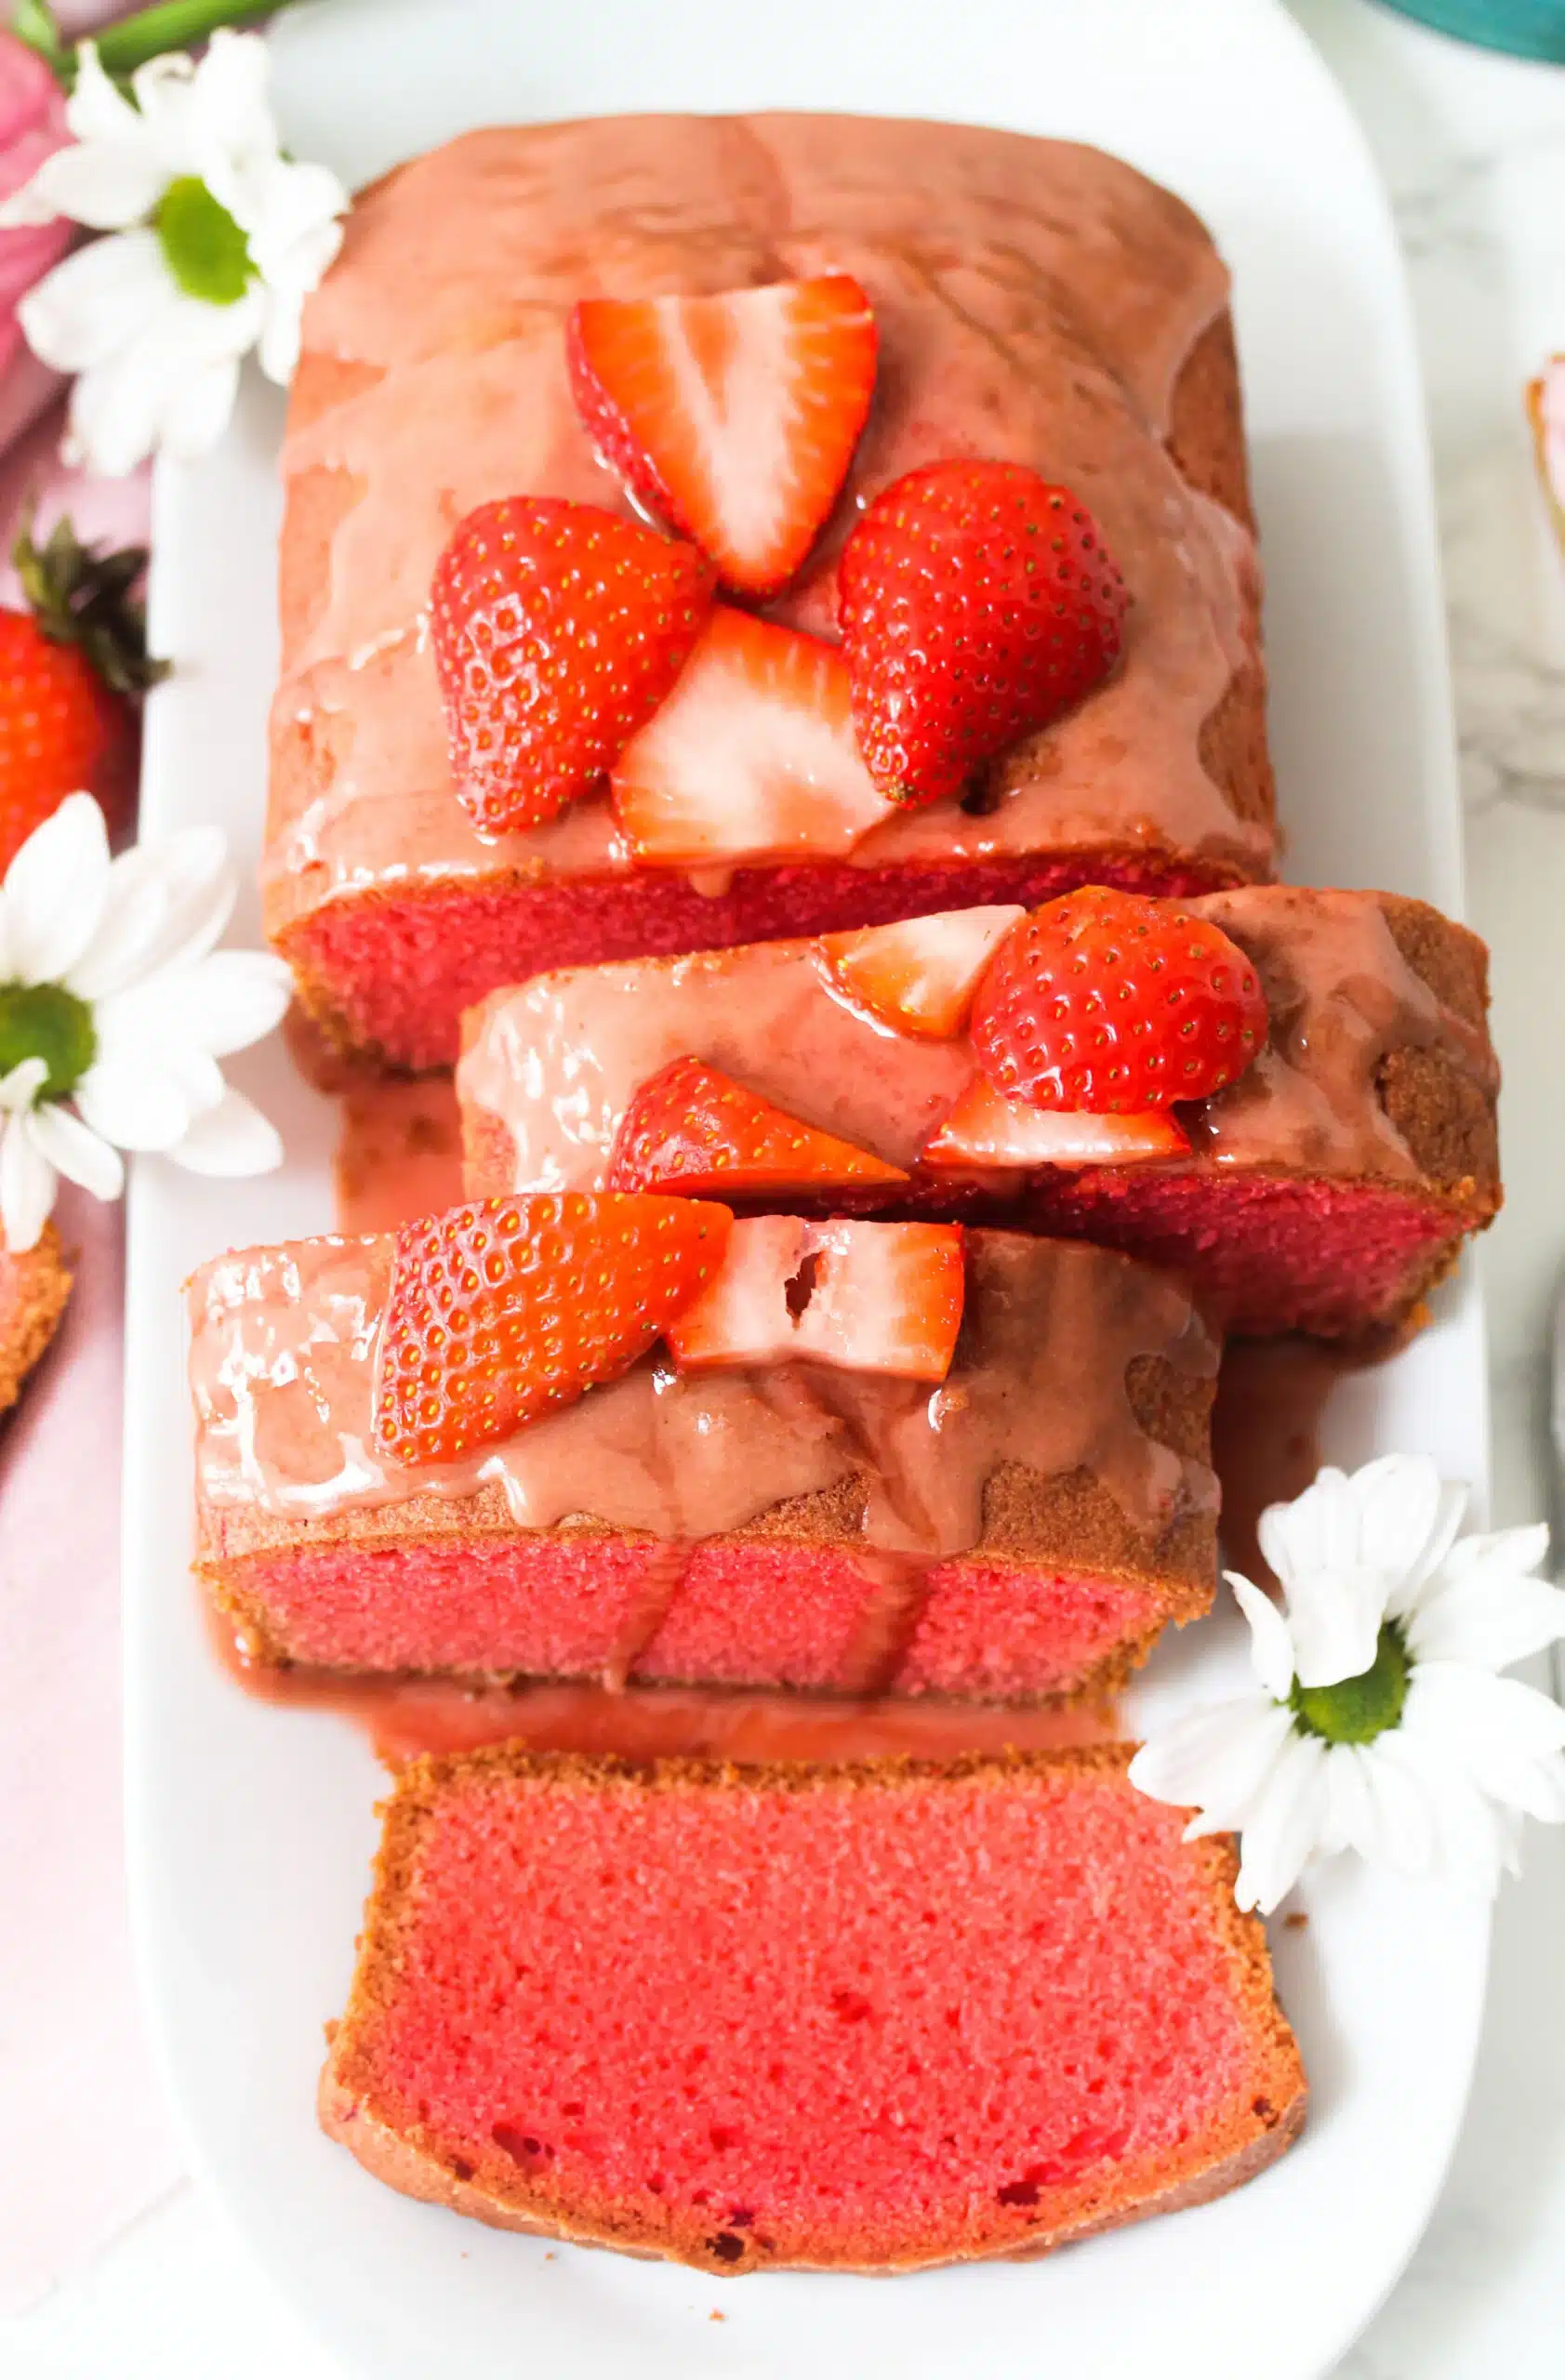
[(413, 2160)]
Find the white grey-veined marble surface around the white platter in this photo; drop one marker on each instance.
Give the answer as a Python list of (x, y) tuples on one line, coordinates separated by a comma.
[(1473, 151)]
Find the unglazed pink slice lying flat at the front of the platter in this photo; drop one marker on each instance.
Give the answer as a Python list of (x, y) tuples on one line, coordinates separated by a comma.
[(866, 2019)]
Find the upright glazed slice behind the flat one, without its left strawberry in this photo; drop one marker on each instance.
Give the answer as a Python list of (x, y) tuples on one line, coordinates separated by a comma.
[(844, 1472)]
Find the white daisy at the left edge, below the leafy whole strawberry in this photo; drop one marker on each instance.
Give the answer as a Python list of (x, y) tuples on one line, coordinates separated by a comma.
[(116, 1010)]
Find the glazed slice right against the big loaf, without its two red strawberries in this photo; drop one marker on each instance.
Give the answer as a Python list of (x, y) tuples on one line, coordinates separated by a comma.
[(1326, 1189)]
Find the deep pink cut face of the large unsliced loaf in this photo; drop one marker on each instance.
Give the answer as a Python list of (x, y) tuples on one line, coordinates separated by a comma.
[(399, 972)]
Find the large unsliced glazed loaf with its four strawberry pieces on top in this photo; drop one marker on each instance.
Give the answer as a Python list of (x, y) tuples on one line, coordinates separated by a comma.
[(861, 377)]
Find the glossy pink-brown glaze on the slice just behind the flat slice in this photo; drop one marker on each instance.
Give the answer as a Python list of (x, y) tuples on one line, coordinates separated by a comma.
[(285, 1348)]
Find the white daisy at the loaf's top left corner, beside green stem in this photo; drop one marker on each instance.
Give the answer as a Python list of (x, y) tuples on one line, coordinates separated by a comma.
[(216, 244)]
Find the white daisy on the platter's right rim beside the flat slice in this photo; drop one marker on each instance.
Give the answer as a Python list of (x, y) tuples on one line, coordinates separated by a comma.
[(1383, 1722)]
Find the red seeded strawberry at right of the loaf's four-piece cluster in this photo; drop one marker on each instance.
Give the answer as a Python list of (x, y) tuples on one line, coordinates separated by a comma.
[(978, 603)]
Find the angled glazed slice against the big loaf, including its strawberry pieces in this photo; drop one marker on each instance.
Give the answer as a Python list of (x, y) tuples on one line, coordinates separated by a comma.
[(1287, 1096)]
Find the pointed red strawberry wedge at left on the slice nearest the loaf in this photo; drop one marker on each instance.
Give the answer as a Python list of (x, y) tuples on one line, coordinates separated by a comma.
[(697, 1132)]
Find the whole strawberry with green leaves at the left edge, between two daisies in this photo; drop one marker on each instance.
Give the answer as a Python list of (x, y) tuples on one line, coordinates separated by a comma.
[(70, 672)]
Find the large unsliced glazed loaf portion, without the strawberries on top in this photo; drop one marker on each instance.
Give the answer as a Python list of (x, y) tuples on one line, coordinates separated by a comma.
[(1035, 303)]
